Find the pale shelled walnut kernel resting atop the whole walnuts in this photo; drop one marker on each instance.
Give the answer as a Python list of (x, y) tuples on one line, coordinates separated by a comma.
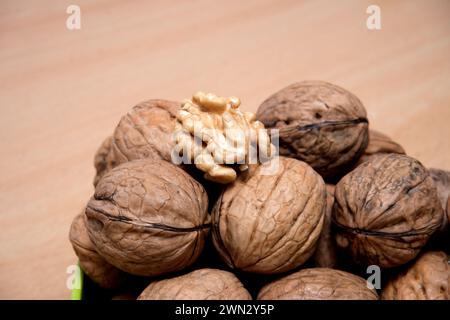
[(213, 133)]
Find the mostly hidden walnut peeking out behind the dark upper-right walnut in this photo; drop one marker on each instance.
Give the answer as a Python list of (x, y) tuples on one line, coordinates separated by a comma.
[(380, 143)]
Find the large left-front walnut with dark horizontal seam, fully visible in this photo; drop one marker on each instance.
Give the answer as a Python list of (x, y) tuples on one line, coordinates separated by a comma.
[(148, 217)]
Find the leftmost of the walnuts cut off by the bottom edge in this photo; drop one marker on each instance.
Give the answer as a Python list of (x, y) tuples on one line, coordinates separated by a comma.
[(203, 284)]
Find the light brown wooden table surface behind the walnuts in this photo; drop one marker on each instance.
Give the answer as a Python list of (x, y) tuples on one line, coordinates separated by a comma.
[(63, 91)]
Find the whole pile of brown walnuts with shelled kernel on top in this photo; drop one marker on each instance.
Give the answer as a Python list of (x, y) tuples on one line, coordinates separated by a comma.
[(297, 201)]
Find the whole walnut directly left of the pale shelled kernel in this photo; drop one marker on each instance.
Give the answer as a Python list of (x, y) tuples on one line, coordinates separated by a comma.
[(146, 132)]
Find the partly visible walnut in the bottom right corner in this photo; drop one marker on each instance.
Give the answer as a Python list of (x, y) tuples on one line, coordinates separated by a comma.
[(427, 279)]
